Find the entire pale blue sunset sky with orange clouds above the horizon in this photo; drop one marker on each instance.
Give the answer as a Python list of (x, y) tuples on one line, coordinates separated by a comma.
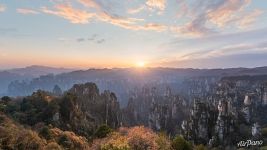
[(131, 33)]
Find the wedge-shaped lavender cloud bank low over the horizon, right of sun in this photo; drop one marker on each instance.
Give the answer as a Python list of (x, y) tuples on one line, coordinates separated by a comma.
[(235, 55)]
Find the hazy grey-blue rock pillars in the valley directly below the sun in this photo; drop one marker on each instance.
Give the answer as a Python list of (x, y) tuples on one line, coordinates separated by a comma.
[(157, 111)]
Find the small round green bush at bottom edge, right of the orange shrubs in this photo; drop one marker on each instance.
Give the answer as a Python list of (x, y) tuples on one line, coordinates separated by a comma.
[(179, 143)]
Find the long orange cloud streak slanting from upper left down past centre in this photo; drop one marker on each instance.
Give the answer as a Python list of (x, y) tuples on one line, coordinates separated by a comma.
[(79, 16)]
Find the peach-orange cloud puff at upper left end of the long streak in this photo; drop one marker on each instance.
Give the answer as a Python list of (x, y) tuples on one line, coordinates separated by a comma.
[(66, 11)]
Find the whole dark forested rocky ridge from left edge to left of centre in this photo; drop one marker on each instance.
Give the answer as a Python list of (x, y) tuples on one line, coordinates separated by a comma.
[(82, 109)]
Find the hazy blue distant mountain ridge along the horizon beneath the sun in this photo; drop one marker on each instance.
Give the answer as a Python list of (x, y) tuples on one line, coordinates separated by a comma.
[(123, 80)]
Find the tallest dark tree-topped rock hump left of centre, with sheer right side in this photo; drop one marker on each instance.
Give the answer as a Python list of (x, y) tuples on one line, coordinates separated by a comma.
[(88, 109)]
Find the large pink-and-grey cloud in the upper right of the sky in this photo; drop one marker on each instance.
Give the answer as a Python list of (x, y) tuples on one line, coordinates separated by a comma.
[(208, 17)]
